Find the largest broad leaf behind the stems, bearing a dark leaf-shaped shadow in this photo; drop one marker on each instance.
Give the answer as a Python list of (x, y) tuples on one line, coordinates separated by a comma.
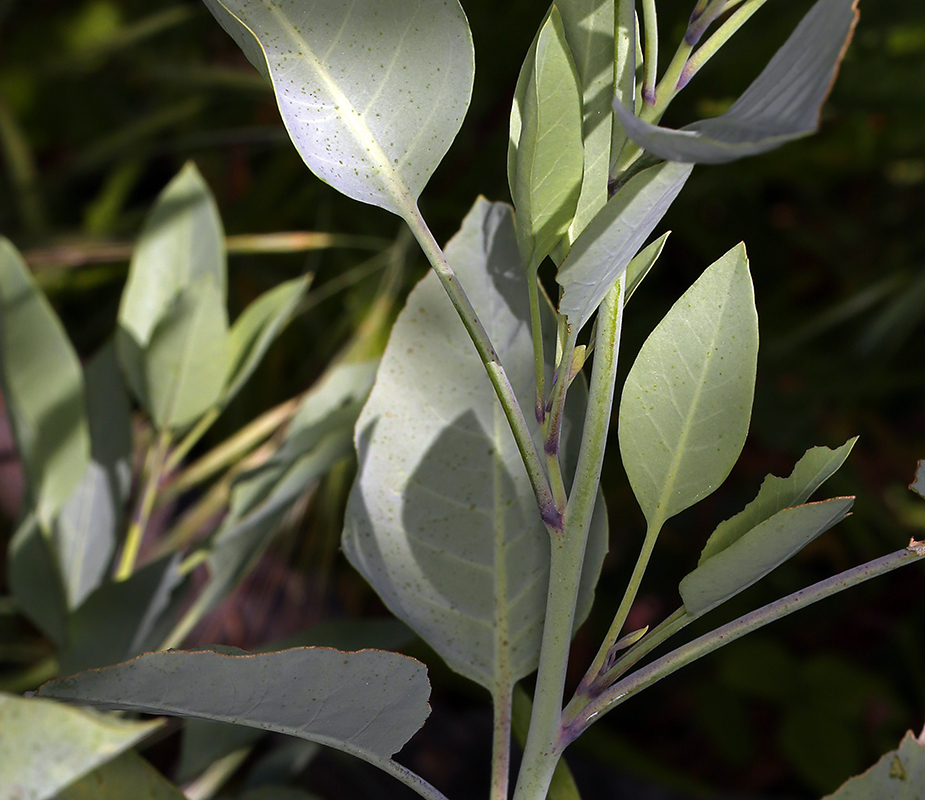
[(442, 519)]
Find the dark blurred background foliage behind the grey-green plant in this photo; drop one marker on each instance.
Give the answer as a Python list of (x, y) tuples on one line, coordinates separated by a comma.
[(101, 102)]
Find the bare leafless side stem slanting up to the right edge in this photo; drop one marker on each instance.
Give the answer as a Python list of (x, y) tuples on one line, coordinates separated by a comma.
[(662, 667)]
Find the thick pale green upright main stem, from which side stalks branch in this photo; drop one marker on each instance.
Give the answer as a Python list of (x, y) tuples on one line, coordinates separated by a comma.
[(544, 744)]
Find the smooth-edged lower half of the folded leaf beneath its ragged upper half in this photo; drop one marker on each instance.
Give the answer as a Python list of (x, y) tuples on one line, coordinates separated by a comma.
[(755, 554)]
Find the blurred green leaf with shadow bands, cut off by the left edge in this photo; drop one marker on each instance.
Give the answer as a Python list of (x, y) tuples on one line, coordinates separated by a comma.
[(44, 389)]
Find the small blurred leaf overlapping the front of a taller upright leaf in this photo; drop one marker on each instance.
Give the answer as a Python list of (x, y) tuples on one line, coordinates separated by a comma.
[(187, 356)]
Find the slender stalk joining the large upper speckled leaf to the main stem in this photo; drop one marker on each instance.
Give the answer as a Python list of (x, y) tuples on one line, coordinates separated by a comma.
[(492, 362)]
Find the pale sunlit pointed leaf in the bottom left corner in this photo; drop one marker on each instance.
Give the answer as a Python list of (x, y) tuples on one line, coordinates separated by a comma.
[(46, 746)]
